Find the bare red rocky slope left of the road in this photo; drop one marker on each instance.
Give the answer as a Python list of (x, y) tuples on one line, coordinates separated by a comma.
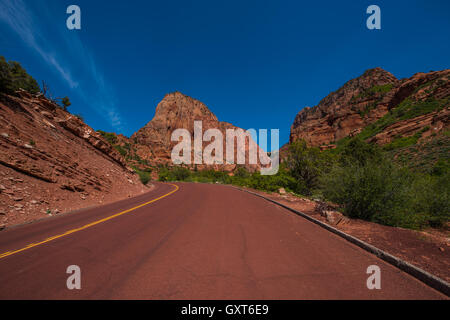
[(52, 161)]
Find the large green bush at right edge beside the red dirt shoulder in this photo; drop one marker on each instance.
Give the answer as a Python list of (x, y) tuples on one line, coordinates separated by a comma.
[(383, 192)]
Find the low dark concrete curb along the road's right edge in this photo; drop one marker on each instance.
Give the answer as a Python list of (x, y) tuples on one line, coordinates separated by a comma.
[(422, 275)]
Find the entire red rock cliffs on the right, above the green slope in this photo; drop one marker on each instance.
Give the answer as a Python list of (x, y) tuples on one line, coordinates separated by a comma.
[(366, 99)]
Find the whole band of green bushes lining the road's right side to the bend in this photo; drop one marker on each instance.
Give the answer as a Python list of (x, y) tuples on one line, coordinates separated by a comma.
[(360, 177)]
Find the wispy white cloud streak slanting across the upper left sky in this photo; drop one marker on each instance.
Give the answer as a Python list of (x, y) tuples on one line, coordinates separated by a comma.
[(96, 92)]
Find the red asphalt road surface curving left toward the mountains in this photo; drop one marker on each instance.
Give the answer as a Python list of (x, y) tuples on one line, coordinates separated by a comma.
[(201, 242)]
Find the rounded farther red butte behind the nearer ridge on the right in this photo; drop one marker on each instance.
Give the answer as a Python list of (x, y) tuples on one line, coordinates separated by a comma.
[(346, 110)]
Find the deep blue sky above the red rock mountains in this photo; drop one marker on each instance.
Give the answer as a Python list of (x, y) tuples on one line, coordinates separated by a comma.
[(255, 64)]
